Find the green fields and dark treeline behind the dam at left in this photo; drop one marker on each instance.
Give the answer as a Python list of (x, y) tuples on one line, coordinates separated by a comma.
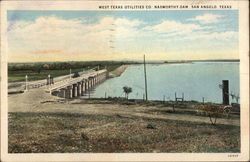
[(41, 70)]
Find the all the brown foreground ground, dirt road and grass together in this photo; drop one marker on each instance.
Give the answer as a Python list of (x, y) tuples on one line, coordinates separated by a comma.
[(39, 122)]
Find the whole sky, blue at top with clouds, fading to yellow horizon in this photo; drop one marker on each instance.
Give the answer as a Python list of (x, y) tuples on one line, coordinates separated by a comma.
[(38, 36)]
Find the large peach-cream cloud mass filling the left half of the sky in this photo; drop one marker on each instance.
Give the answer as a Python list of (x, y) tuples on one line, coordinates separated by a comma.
[(54, 35)]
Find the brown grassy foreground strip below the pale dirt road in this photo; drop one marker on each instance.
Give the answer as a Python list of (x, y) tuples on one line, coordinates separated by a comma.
[(72, 132)]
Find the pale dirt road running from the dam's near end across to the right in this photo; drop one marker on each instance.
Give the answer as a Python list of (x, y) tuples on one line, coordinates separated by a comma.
[(37, 100)]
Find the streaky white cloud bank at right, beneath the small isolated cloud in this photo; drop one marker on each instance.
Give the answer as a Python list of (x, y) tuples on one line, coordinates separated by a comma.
[(174, 31)]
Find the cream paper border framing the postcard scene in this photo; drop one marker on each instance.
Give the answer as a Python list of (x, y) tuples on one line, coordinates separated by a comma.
[(242, 6)]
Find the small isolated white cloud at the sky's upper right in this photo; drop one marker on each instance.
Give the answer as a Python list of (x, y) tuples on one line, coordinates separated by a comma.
[(207, 18)]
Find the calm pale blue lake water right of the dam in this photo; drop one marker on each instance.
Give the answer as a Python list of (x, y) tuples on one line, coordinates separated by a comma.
[(195, 80)]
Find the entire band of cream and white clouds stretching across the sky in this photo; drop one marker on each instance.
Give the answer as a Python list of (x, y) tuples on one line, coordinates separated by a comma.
[(51, 37)]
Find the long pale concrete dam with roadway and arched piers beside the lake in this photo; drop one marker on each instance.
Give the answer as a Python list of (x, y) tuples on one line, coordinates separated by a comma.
[(68, 86)]
